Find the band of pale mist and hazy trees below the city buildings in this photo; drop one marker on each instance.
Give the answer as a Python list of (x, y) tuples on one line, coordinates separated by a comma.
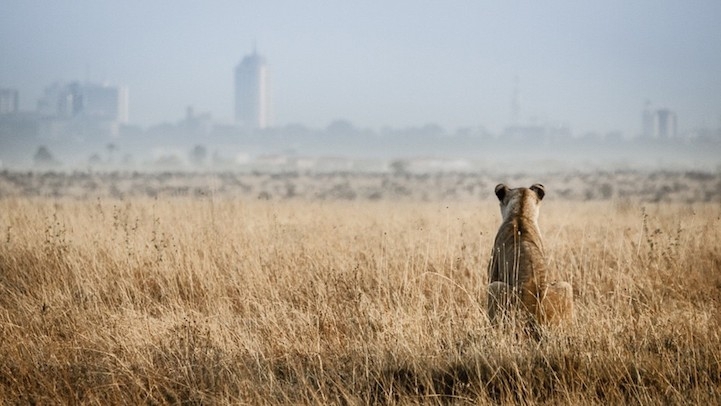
[(326, 150)]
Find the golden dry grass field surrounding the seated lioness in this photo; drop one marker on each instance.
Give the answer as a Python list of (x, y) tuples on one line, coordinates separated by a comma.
[(203, 298)]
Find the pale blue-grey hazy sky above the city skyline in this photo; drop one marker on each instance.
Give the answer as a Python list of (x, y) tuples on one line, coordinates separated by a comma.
[(590, 65)]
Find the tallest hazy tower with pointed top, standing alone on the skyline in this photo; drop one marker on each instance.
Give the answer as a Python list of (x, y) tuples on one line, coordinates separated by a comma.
[(252, 92)]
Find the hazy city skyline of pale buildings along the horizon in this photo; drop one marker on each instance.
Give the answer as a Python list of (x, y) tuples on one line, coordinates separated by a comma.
[(253, 108)]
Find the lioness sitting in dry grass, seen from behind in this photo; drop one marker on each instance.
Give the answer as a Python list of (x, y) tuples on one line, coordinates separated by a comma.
[(518, 270)]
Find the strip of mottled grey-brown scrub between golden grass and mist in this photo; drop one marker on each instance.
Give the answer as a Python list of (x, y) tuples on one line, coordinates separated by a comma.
[(643, 186)]
